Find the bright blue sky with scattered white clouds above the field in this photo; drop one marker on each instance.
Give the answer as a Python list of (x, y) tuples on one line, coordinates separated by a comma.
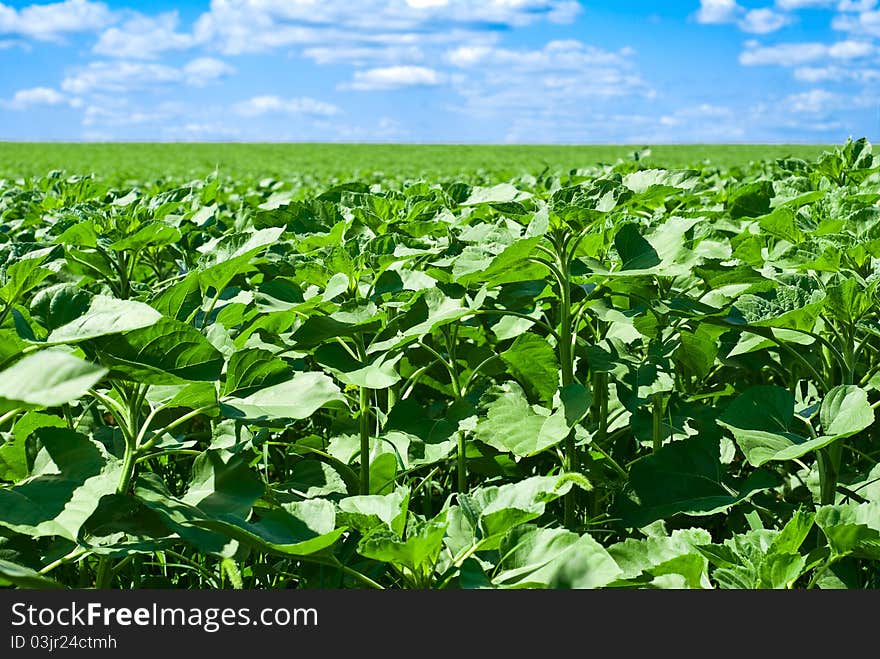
[(495, 71)]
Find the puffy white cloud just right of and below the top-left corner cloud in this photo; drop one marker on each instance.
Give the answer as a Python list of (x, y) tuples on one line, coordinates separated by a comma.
[(143, 37)]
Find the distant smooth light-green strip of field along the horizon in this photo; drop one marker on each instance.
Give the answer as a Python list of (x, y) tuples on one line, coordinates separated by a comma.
[(150, 160)]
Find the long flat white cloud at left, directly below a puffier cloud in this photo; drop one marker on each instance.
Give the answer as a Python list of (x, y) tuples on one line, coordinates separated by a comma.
[(125, 75)]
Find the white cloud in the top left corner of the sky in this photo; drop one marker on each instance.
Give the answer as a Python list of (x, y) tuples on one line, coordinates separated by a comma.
[(52, 21)]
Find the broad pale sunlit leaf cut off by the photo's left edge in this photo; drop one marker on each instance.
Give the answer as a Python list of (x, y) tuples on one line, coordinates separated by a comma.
[(48, 378)]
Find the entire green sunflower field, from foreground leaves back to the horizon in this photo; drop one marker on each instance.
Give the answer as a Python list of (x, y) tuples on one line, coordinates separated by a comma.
[(295, 376)]
